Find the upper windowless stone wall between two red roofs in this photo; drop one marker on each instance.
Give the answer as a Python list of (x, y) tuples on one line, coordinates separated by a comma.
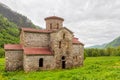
[(36, 39)]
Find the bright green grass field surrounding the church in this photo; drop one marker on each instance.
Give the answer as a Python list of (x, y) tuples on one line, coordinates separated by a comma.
[(95, 68)]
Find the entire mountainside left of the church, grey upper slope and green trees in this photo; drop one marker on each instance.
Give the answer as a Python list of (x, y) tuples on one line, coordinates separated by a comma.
[(10, 22)]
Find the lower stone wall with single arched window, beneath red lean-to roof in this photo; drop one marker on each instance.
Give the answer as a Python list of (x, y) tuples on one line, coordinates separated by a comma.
[(31, 62)]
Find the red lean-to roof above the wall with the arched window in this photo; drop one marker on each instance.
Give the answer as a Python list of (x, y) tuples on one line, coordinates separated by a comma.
[(43, 51)]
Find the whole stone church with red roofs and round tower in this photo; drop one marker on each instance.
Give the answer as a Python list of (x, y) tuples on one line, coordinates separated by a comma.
[(52, 48)]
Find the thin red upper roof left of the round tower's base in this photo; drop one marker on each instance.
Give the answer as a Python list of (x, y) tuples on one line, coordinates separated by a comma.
[(35, 30)]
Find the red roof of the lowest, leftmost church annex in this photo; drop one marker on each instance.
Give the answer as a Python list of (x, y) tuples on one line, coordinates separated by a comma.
[(13, 47)]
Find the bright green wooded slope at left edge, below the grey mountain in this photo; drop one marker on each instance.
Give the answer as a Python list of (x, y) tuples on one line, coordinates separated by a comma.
[(9, 33)]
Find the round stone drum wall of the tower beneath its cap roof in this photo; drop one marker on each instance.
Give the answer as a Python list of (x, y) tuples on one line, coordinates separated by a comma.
[(54, 23)]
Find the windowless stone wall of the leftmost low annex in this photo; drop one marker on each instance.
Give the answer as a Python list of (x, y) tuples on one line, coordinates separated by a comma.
[(14, 60)]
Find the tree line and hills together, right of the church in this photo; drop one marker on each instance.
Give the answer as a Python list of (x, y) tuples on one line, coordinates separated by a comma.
[(110, 49)]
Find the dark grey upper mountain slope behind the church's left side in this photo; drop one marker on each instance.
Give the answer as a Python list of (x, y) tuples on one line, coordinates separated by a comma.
[(15, 17)]
